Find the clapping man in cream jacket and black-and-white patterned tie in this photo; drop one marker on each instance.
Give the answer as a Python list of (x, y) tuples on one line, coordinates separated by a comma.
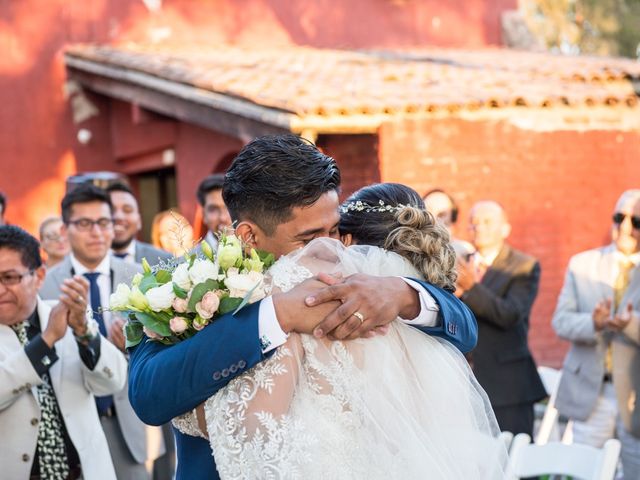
[(52, 363)]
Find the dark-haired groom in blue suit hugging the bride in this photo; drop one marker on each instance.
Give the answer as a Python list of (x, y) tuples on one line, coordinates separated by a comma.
[(282, 192)]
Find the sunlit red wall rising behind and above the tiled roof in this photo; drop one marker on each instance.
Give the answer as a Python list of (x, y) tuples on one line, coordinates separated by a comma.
[(38, 149)]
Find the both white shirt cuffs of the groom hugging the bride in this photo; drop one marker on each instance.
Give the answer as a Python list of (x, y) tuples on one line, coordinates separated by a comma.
[(272, 336)]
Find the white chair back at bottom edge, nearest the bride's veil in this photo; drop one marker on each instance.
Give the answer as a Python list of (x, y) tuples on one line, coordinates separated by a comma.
[(578, 461)]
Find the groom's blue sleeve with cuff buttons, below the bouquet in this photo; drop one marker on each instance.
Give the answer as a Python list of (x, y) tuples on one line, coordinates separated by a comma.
[(167, 381)]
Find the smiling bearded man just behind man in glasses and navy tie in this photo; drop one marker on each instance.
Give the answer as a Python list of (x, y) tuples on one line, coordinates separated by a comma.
[(126, 225)]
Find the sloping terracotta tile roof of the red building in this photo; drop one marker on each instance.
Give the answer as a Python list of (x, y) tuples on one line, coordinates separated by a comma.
[(308, 81)]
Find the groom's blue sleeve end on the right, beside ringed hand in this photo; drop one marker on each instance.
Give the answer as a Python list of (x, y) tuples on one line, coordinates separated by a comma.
[(457, 324)]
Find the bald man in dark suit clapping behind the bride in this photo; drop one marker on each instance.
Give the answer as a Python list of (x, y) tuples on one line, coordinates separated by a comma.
[(499, 284)]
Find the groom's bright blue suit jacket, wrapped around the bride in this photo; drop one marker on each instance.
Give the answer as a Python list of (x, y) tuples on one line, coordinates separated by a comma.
[(166, 381)]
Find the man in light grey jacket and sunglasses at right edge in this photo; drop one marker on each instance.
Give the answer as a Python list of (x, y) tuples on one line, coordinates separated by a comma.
[(595, 312)]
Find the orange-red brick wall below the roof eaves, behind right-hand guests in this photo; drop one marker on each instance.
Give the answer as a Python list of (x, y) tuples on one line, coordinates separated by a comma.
[(558, 188)]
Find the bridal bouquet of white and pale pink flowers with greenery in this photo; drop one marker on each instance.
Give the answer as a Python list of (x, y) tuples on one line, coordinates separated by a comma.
[(175, 300)]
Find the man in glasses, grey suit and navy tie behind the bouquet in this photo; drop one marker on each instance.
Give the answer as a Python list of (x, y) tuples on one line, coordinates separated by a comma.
[(88, 224)]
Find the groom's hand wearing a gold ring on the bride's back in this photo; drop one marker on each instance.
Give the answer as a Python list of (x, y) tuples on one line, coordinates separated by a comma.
[(379, 300)]
